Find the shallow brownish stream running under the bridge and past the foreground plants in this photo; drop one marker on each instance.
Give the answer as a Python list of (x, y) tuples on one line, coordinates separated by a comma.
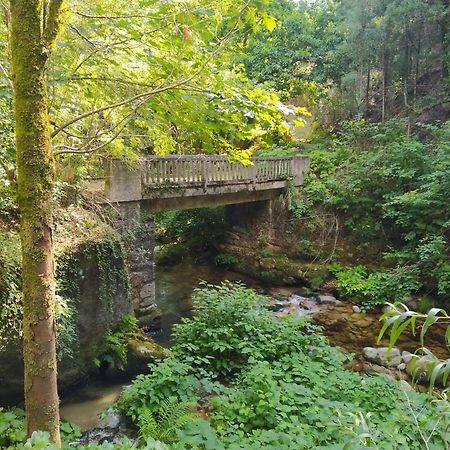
[(343, 324)]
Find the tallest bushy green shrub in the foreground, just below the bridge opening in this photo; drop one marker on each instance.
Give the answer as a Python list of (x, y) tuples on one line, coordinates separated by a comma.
[(232, 326)]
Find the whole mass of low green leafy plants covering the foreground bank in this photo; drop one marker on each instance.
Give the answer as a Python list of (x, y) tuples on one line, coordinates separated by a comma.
[(268, 383)]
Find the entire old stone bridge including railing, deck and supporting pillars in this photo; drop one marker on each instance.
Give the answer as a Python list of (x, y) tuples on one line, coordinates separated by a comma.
[(183, 182)]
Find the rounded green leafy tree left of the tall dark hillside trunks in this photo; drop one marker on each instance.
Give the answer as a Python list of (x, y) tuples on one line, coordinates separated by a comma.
[(294, 58)]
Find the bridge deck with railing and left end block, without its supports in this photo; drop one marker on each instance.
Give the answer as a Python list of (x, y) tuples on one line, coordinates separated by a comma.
[(182, 182)]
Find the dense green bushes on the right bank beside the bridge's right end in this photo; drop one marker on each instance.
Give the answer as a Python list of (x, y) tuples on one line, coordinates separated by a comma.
[(390, 190)]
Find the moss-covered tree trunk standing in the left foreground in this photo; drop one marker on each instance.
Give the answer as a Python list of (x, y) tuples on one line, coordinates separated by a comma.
[(34, 26)]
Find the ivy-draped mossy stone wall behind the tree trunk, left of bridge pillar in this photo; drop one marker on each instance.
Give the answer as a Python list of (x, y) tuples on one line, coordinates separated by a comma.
[(92, 284)]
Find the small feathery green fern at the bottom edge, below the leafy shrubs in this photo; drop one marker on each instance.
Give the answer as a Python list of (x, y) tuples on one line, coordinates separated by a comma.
[(162, 425)]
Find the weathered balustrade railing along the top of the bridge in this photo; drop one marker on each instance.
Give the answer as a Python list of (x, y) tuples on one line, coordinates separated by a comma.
[(187, 170)]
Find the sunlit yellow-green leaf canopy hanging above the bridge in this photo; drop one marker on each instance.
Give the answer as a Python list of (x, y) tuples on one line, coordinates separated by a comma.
[(144, 76)]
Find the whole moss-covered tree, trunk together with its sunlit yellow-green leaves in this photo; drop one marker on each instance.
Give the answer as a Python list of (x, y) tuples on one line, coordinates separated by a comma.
[(86, 121)]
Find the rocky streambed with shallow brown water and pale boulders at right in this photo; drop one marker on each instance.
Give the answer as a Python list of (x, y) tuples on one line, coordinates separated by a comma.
[(355, 331)]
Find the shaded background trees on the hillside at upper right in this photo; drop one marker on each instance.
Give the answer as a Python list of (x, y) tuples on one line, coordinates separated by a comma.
[(382, 58)]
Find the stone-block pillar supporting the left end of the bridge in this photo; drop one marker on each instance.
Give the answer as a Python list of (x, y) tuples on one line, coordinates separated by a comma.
[(139, 239)]
